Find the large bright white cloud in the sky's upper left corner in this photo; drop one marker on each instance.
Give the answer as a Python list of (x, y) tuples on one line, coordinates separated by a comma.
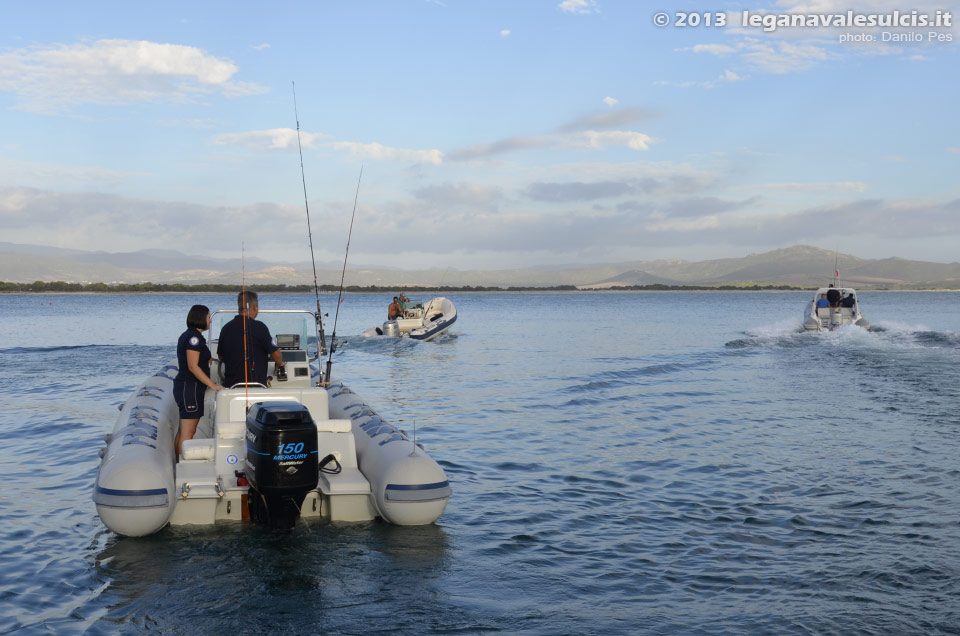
[(53, 78)]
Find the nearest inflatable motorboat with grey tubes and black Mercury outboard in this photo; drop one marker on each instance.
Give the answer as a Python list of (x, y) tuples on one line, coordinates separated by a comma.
[(300, 447)]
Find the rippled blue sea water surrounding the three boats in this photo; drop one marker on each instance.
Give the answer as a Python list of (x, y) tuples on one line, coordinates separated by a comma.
[(622, 463)]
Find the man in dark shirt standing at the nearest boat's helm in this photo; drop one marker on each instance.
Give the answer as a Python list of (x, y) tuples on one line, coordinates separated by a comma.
[(245, 358)]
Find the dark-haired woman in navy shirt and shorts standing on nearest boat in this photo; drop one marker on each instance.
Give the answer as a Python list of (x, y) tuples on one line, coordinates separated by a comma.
[(193, 376)]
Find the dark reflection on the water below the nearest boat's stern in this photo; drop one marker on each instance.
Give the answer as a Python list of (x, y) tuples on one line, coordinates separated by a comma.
[(299, 579)]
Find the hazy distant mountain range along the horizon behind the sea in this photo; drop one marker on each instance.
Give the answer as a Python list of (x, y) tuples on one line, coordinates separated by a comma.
[(801, 266)]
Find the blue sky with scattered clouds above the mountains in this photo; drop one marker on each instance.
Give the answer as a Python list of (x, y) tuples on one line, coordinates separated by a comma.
[(491, 134)]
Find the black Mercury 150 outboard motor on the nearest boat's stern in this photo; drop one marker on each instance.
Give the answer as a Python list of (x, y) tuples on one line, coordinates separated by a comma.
[(281, 461)]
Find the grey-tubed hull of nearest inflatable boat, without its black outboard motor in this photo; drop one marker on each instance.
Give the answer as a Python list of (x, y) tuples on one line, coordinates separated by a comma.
[(140, 488)]
